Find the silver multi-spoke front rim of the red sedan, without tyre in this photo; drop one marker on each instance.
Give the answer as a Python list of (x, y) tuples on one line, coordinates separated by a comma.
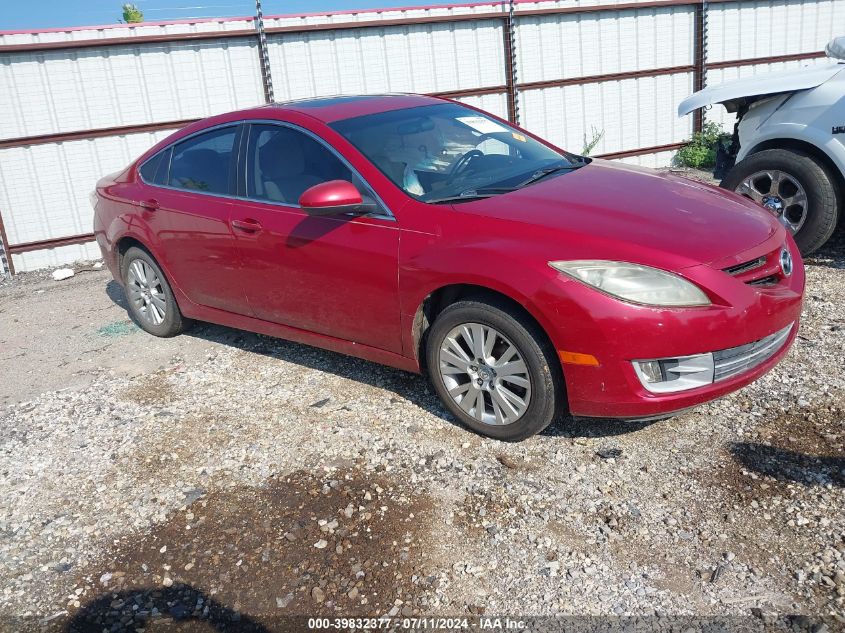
[(485, 374)]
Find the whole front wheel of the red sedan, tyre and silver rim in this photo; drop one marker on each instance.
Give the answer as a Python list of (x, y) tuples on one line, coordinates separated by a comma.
[(541, 385)]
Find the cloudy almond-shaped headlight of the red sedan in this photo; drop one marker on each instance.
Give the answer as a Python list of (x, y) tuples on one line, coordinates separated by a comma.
[(633, 282)]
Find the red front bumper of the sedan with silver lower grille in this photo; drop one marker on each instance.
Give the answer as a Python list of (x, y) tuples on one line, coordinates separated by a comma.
[(733, 330)]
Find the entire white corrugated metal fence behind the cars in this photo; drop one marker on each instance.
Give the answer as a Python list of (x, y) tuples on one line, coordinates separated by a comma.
[(618, 70)]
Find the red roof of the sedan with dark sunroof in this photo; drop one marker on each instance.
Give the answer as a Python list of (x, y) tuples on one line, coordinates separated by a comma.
[(339, 107)]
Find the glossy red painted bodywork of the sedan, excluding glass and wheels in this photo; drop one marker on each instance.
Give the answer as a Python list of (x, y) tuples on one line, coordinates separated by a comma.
[(355, 284)]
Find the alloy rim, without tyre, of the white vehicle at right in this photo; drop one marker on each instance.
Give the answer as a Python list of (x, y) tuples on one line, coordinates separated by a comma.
[(780, 193)]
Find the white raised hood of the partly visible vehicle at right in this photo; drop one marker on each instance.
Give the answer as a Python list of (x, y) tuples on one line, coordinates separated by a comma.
[(760, 85)]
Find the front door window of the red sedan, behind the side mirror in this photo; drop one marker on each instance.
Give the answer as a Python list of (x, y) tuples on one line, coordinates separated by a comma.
[(282, 163)]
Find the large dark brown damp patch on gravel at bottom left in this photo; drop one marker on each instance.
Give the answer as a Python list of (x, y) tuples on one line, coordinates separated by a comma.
[(344, 543)]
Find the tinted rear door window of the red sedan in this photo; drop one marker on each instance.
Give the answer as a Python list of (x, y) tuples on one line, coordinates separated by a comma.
[(202, 163)]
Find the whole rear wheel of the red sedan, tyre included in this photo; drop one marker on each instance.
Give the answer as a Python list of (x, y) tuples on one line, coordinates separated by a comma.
[(151, 302)]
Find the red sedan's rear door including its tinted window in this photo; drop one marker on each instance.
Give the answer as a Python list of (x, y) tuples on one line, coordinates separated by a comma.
[(189, 208)]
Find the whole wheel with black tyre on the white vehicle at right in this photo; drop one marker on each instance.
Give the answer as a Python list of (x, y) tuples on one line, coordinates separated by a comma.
[(795, 188)]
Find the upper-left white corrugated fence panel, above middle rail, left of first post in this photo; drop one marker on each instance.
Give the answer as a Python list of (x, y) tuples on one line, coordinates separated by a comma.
[(60, 91)]
